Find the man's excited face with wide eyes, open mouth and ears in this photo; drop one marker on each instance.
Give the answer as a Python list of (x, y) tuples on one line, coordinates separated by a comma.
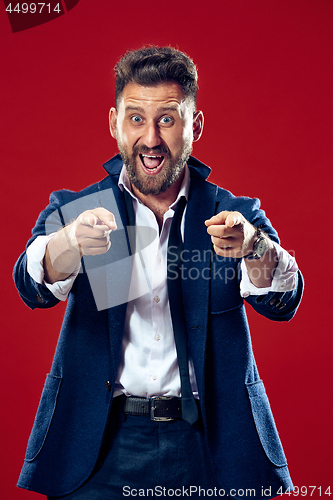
[(155, 127)]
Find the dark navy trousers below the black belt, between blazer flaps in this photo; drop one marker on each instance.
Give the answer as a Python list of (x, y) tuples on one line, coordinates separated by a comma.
[(150, 459)]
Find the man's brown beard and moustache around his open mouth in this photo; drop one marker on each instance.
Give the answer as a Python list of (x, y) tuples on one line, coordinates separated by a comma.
[(161, 182)]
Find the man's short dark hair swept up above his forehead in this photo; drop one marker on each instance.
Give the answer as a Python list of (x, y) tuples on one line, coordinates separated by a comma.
[(153, 65)]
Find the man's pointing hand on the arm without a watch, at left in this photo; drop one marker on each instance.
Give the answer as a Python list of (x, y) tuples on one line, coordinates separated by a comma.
[(90, 232)]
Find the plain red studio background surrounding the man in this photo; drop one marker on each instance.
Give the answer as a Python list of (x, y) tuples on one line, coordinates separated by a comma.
[(265, 76)]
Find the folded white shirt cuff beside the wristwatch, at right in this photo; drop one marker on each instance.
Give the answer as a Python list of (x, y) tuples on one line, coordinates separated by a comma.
[(284, 279)]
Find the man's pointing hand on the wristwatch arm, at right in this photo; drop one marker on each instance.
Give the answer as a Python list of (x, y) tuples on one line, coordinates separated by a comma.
[(232, 235)]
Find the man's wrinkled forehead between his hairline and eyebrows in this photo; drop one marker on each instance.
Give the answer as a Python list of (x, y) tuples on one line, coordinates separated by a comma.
[(168, 93)]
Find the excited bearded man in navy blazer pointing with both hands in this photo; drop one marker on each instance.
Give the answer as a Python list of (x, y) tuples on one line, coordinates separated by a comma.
[(154, 389)]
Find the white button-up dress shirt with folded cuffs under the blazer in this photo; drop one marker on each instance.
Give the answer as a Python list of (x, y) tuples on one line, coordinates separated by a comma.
[(148, 365)]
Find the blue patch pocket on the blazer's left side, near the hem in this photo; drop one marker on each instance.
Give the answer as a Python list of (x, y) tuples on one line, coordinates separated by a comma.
[(43, 417)]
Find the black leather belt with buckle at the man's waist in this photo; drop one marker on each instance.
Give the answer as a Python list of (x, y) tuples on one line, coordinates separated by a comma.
[(160, 408)]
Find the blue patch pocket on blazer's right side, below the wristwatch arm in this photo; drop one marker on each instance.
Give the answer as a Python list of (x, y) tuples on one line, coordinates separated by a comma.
[(264, 421)]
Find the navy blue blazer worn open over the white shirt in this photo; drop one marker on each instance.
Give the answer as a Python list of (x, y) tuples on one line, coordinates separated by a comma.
[(67, 435)]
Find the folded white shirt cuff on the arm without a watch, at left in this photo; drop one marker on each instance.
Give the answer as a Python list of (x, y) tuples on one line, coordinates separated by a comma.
[(35, 255)]
